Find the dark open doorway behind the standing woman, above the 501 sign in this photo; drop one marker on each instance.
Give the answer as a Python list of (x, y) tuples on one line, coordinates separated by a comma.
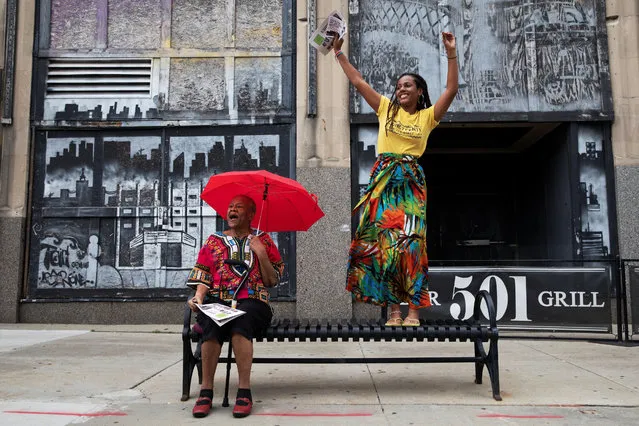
[(499, 193)]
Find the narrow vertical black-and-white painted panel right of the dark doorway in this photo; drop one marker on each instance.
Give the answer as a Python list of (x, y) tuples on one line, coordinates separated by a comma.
[(593, 232)]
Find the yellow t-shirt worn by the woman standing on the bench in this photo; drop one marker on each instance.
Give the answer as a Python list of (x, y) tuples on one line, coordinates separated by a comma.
[(409, 134)]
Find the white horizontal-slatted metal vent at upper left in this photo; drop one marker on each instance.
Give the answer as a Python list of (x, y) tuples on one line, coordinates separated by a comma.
[(99, 78)]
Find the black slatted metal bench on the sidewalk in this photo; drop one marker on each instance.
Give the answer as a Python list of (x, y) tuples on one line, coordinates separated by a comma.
[(324, 331)]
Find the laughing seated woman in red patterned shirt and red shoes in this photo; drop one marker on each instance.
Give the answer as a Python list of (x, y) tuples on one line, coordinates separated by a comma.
[(215, 280)]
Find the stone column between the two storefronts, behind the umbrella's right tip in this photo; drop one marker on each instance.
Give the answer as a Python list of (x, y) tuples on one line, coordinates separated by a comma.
[(323, 166)]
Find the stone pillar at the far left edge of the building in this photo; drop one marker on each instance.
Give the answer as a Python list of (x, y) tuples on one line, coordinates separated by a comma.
[(14, 166)]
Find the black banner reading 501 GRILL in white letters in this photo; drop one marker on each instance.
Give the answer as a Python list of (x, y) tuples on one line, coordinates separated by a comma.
[(574, 297)]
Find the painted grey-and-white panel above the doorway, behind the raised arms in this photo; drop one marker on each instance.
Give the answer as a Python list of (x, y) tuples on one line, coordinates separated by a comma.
[(514, 55)]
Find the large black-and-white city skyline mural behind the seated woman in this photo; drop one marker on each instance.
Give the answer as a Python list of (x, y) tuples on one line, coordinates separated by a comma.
[(116, 213)]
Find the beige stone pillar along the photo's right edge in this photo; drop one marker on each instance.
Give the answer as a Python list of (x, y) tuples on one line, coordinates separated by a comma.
[(623, 43)]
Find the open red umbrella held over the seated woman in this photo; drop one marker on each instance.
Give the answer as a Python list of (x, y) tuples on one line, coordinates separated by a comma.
[(283, 204)]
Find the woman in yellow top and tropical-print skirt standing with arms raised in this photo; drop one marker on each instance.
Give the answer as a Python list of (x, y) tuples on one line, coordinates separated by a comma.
[(388, 263)]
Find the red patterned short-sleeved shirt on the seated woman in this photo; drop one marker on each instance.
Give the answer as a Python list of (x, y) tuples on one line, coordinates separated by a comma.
[(221, 279)]
